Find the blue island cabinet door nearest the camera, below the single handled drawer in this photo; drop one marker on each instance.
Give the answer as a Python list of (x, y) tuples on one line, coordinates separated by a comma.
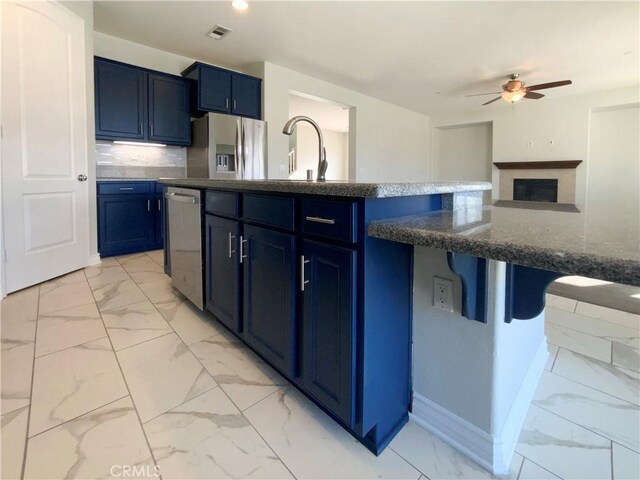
[(328, 327)]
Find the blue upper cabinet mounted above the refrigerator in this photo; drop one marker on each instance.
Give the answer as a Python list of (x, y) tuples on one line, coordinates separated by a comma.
[(218, 90)]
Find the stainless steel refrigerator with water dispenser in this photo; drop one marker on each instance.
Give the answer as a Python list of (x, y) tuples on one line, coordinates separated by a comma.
[(227, 147)]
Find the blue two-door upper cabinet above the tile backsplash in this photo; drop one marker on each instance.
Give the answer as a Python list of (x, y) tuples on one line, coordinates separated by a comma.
[(133, 103)]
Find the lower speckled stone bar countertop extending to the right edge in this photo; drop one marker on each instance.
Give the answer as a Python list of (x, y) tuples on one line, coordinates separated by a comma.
[(605, 247)]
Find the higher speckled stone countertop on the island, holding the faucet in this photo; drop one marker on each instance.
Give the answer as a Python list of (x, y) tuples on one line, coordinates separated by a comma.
[(333, 188)]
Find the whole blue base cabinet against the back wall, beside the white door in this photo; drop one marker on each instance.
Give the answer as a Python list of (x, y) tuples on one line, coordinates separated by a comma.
[(130, 217)]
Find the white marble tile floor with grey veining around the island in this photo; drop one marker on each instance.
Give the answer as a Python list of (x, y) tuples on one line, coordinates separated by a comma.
[(109, 372)]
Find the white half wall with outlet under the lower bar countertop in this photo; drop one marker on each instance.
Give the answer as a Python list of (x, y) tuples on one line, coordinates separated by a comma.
[(487, 372)]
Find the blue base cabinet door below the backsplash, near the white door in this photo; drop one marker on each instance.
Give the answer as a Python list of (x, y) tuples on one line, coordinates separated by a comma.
[(125, 224)]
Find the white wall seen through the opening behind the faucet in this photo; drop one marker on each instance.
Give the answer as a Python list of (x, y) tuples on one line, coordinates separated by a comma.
[(336, 145)]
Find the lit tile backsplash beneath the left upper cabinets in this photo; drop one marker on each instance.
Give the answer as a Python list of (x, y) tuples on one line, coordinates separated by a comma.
[(115, 160)]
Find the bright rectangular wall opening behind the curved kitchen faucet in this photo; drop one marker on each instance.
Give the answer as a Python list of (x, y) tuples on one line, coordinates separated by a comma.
[(333, 120)]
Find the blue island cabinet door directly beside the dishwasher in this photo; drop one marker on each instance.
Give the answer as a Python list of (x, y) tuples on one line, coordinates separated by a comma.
[(222, 279)]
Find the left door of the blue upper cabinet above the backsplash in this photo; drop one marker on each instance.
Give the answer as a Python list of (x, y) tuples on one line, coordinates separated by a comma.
[(120, 98)]
